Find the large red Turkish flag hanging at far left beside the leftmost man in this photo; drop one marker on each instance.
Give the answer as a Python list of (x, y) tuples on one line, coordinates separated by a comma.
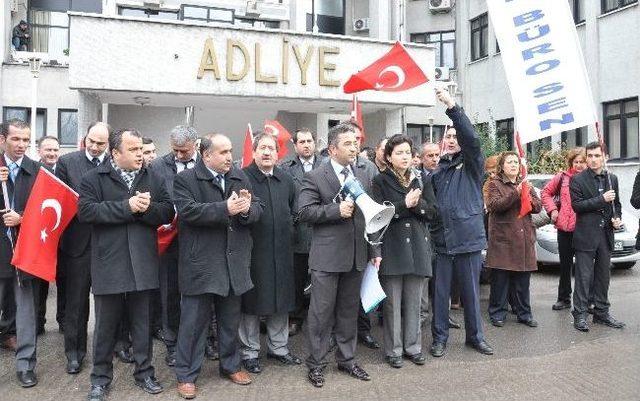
[(50, 208)]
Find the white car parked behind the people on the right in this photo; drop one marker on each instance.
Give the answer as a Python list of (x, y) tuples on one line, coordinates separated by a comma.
[(624, 255)]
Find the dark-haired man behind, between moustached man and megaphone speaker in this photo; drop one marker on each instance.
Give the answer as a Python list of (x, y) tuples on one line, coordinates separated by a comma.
[(304, 160)]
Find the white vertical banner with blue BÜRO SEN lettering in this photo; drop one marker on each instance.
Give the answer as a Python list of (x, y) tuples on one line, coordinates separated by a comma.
[(544, 66)]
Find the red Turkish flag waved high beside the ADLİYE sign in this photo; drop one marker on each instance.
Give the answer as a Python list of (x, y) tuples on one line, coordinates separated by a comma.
[(394, 72)]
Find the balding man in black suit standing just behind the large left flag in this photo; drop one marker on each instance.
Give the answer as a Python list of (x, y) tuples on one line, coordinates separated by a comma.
[(75, 246)]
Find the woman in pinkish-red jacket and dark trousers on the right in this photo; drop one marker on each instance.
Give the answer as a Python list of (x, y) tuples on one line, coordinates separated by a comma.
[(557, 203)]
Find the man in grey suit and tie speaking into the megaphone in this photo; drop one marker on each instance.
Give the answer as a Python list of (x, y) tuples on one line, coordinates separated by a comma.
[(337, 256)]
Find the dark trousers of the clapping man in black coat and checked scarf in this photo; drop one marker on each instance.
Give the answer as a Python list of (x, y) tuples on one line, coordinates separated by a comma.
[(109, 310)]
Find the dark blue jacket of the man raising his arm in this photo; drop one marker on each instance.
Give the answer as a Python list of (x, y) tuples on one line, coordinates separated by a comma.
[(457, 183)]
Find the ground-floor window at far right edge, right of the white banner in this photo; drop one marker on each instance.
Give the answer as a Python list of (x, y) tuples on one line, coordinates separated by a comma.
[(621, 128)]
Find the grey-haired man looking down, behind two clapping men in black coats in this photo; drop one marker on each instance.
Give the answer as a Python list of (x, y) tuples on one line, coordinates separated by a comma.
[(183, 156)]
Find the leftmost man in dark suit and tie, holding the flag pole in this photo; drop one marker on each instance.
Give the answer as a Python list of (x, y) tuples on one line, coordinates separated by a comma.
[(19, 172)]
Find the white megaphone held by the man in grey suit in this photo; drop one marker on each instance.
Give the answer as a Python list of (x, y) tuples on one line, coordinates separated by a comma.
[(376, 216)]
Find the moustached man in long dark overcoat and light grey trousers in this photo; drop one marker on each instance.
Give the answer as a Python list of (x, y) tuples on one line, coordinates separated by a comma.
[(273, 295)]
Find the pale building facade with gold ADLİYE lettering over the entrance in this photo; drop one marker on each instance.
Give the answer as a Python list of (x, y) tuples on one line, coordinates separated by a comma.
[(137, 63)]
